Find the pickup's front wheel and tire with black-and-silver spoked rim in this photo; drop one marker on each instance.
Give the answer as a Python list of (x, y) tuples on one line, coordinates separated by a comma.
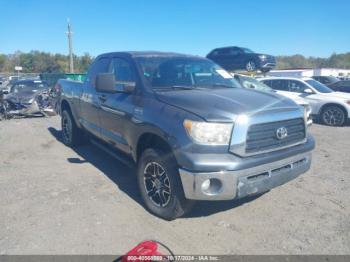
[(158, 176)]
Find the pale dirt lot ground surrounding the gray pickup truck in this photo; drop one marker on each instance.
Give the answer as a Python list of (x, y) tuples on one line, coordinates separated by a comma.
[(55, 200)]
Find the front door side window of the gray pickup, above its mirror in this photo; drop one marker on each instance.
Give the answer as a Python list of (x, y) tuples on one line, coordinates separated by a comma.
[(123, 70)]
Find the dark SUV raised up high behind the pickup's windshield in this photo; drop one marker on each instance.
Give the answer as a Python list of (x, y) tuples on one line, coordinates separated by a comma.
[(240, 58)]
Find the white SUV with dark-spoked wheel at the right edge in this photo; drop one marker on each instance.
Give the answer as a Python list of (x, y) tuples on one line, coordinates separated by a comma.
[(330, 107)]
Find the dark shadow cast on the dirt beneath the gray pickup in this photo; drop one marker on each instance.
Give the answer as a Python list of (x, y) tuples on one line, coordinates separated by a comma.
[(124, 177)]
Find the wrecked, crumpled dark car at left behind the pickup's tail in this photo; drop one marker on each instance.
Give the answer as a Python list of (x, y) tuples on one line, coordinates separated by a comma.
[(27, 98)]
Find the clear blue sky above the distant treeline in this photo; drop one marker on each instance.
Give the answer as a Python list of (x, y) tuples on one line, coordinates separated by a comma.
[(278, 27)]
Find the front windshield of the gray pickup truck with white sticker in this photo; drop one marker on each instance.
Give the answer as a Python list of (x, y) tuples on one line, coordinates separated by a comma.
[(184, 73)]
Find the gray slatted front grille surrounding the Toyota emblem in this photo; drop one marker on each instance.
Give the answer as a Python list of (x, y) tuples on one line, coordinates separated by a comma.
[(262, 137)]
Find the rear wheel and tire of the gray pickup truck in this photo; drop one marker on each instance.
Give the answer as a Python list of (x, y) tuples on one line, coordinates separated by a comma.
[(72, 135)]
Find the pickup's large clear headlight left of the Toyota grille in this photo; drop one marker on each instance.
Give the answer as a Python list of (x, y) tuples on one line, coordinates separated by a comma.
[(209, 133)]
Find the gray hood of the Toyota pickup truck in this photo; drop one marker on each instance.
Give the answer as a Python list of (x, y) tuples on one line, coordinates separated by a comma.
[(226, 104)]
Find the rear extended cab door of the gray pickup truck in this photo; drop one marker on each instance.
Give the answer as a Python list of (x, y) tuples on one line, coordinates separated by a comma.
[(90, 100)]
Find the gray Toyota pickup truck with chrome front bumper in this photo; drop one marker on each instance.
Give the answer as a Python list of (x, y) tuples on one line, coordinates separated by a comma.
[(190, 128)]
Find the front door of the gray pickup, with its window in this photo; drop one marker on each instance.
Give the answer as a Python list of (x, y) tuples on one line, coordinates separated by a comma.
[(118, 108)]
